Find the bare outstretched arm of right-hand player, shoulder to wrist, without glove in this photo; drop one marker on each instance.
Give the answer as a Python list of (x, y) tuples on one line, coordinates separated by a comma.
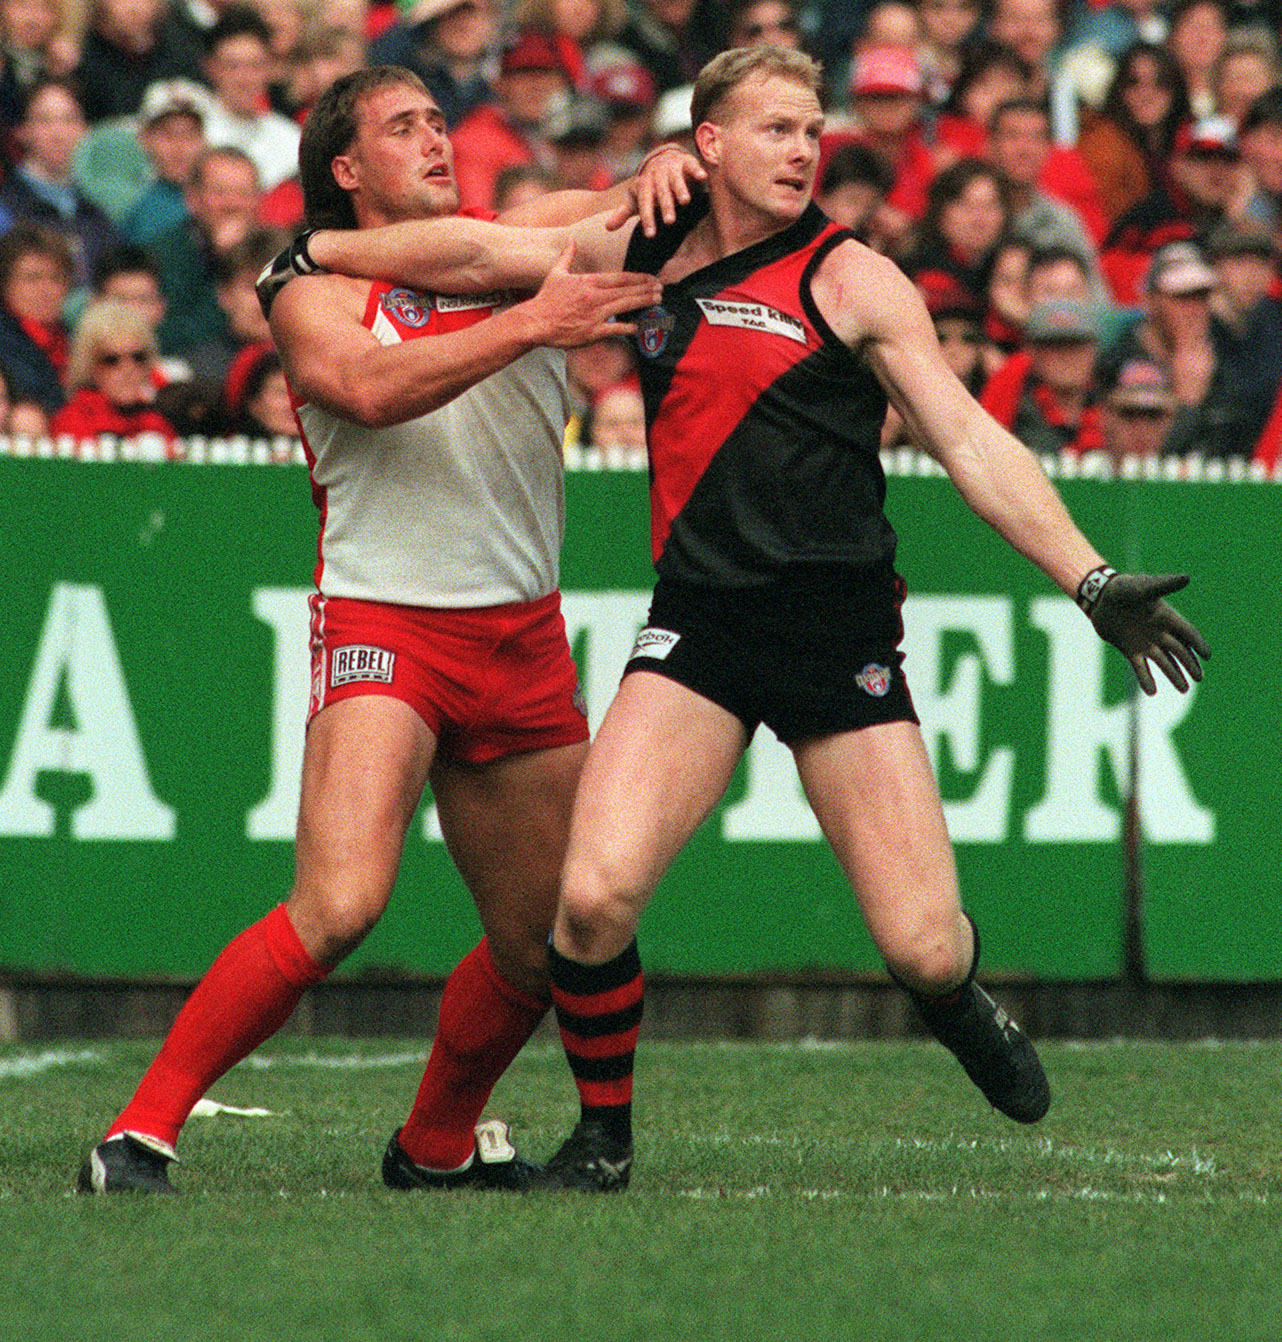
[(880, 315)]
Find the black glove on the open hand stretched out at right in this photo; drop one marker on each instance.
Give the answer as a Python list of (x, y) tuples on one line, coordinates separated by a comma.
[(1130, 613)]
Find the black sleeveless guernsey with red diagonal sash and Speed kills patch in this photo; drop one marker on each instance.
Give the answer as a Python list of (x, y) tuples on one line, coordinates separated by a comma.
[(763, 427)]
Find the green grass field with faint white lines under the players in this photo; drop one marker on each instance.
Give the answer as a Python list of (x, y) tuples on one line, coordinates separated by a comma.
[(782, 1192)]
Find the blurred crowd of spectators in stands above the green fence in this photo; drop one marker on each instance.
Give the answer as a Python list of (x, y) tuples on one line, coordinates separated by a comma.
[(1088, 193)]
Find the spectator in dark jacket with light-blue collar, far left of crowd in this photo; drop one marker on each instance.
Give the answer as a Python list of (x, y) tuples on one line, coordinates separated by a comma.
[(41, 190)]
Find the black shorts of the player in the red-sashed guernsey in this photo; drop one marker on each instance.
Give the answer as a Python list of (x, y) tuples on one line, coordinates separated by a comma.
[(801, 688)]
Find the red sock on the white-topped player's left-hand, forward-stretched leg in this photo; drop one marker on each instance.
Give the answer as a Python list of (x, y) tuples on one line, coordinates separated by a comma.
[(245, 998)]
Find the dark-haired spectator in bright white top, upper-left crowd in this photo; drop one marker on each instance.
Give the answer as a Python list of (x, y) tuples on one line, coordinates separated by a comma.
[(240, 69)]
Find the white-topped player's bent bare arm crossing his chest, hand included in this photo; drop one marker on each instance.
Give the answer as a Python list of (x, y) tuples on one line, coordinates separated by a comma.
[(334, 360)]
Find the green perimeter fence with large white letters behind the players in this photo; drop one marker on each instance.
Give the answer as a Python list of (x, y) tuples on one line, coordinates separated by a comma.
[(156, 676)]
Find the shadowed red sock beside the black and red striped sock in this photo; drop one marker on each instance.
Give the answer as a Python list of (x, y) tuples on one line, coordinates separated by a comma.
[(484, 1023)]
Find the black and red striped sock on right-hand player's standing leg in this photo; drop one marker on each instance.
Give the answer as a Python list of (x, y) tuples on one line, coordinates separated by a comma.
[(599, 1011)]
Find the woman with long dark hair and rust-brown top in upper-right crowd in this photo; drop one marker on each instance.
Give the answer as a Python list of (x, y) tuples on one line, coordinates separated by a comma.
[(1128, 146)]
